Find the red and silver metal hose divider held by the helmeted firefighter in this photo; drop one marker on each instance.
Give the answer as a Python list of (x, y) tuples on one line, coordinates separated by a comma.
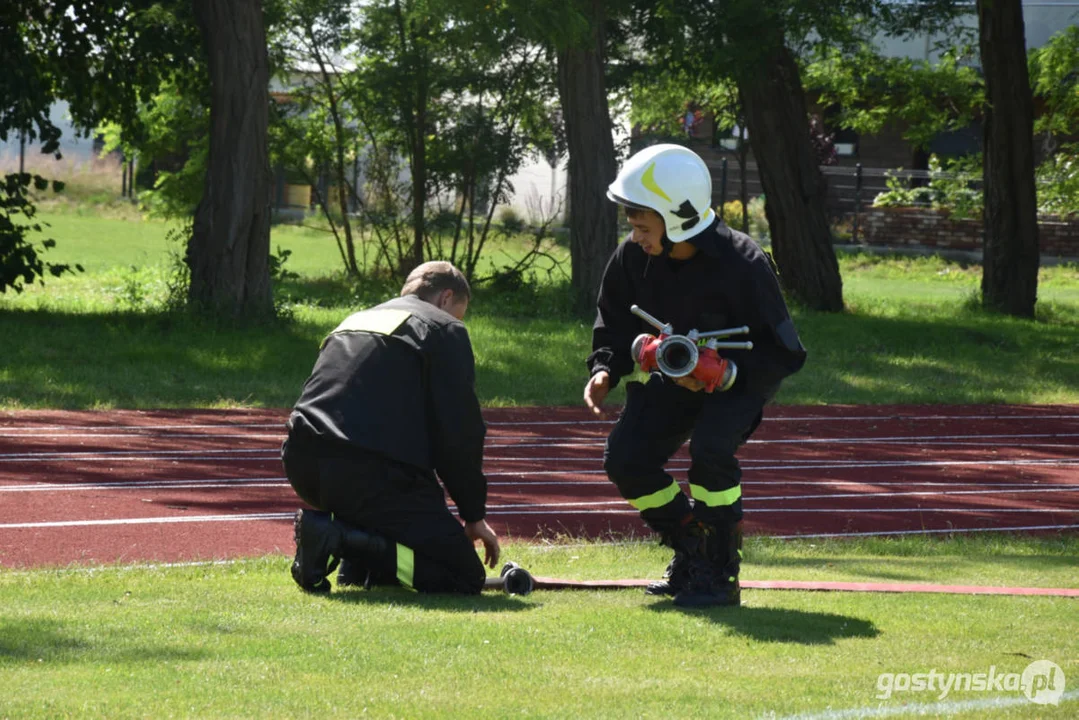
[(693, 355)]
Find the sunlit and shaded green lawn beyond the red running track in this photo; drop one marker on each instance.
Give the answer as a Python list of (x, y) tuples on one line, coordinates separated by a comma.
[(103, 339)]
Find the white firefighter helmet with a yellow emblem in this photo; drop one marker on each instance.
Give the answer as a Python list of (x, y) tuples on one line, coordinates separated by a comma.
[(674, 182)]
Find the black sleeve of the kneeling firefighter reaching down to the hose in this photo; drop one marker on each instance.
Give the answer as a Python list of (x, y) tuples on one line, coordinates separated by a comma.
[(457, 426)]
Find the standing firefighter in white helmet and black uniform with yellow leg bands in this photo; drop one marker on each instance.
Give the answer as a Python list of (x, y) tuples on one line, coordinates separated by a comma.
[(685, 267)]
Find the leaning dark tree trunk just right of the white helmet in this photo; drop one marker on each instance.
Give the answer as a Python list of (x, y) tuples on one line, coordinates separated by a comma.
[(794, 188)]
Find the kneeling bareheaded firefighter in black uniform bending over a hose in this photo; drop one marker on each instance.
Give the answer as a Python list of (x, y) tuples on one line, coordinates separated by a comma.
[(391, 403)]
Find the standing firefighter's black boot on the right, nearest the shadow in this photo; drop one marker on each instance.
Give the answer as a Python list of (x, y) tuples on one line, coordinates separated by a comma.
[(715, 560)]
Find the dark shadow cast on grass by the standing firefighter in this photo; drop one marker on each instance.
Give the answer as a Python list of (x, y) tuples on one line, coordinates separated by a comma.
[(782, 626)]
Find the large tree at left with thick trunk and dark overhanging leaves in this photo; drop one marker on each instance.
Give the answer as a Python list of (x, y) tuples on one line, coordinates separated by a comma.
[(108, 60)]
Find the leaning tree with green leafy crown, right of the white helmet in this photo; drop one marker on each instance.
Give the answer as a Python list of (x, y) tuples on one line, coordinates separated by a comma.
[(759, 47)]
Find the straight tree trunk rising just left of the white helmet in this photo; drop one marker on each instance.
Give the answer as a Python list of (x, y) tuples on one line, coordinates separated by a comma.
[(594, 220)]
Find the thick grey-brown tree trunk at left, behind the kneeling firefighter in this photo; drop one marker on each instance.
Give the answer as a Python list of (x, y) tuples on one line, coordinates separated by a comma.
[(229, 252)]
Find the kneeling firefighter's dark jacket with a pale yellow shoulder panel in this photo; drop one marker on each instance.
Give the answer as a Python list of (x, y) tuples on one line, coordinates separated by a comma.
[(399, 381)]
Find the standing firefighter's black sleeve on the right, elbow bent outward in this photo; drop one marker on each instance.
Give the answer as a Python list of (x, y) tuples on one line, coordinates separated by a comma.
[(777, 349)]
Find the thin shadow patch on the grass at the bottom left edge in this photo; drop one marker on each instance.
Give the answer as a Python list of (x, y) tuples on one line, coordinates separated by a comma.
[(50, 642)]
